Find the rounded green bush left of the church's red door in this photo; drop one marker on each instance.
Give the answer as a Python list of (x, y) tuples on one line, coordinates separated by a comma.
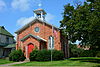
[(16, 55)]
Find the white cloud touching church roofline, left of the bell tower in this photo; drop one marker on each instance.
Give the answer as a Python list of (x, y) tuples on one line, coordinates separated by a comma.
[(24, 20)]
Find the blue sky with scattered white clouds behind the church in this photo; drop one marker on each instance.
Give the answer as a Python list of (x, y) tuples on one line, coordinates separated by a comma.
[(16, 13)]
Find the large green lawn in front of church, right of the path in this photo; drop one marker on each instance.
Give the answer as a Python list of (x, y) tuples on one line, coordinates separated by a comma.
[(82, 62)]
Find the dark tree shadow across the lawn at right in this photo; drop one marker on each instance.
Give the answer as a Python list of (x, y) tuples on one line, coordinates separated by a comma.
[(93, 60)]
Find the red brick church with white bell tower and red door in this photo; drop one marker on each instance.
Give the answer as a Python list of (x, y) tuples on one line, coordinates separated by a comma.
[(38, 34)]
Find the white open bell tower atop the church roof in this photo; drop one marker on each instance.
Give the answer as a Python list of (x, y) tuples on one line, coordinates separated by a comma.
[(40, 14)]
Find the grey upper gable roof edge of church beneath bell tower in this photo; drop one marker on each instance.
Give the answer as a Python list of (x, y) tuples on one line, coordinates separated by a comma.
[(33, 21)]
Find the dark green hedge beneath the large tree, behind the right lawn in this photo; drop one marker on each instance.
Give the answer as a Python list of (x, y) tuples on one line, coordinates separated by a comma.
[(79, 52)]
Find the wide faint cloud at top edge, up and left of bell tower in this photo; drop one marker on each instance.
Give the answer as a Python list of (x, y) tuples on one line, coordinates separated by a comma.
[(24, 5)]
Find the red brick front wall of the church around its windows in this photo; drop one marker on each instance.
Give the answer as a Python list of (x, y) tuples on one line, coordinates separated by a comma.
[(45, 32)]
